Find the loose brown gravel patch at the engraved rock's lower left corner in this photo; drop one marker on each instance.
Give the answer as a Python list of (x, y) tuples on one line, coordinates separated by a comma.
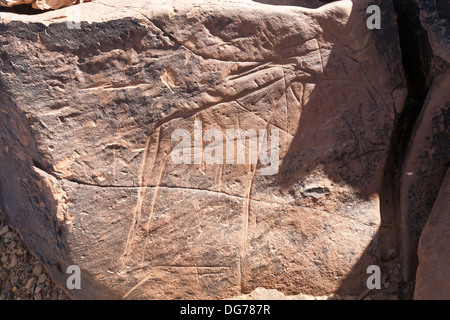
[(22, 276)]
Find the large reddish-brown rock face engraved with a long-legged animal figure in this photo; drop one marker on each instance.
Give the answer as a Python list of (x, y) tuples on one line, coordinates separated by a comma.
[(90, 120)]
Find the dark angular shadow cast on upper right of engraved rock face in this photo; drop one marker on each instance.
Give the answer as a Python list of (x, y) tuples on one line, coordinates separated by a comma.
[(348, 154)]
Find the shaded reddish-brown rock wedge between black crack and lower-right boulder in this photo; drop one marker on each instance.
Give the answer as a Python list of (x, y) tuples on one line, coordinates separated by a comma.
[(426, 163)]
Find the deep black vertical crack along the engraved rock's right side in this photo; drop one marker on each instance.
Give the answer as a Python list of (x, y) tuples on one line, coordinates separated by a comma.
[(415, 54)]
